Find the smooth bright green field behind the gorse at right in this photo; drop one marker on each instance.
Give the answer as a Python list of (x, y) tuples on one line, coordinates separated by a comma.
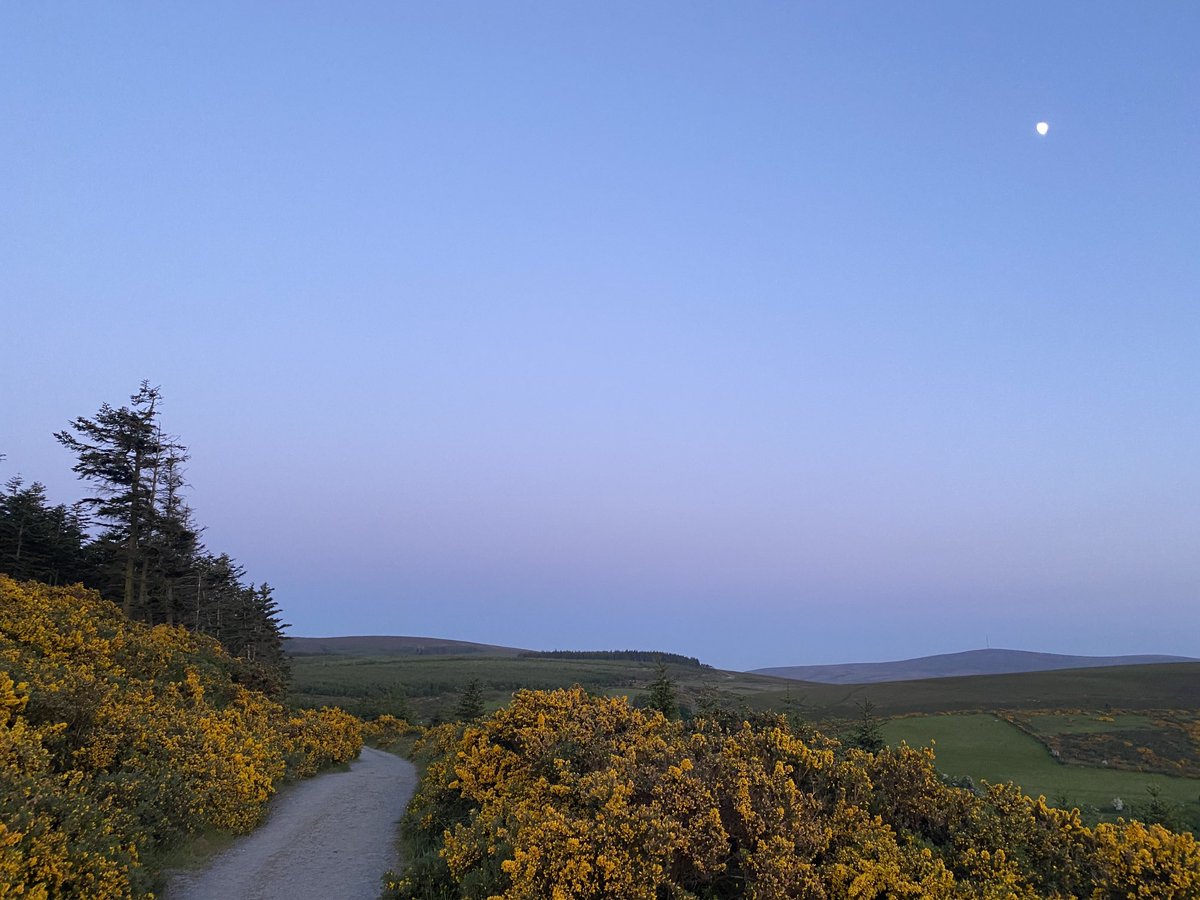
[(987, 748)]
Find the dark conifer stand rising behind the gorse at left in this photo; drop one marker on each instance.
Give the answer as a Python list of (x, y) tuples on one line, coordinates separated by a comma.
[(136, 542)]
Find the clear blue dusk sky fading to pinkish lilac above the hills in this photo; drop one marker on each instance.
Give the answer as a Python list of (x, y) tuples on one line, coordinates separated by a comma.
[(766, 333)]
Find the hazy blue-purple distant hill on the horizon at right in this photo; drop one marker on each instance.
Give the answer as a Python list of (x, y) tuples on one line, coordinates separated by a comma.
[(947, 665)]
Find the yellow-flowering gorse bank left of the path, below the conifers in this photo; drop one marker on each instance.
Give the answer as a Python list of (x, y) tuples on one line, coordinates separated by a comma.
[(118, 740)]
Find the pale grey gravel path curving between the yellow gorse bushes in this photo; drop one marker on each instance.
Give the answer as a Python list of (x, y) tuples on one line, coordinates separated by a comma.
[(331, 837)]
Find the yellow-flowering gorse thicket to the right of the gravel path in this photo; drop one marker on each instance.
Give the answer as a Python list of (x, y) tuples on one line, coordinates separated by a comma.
[(565, 795)]
